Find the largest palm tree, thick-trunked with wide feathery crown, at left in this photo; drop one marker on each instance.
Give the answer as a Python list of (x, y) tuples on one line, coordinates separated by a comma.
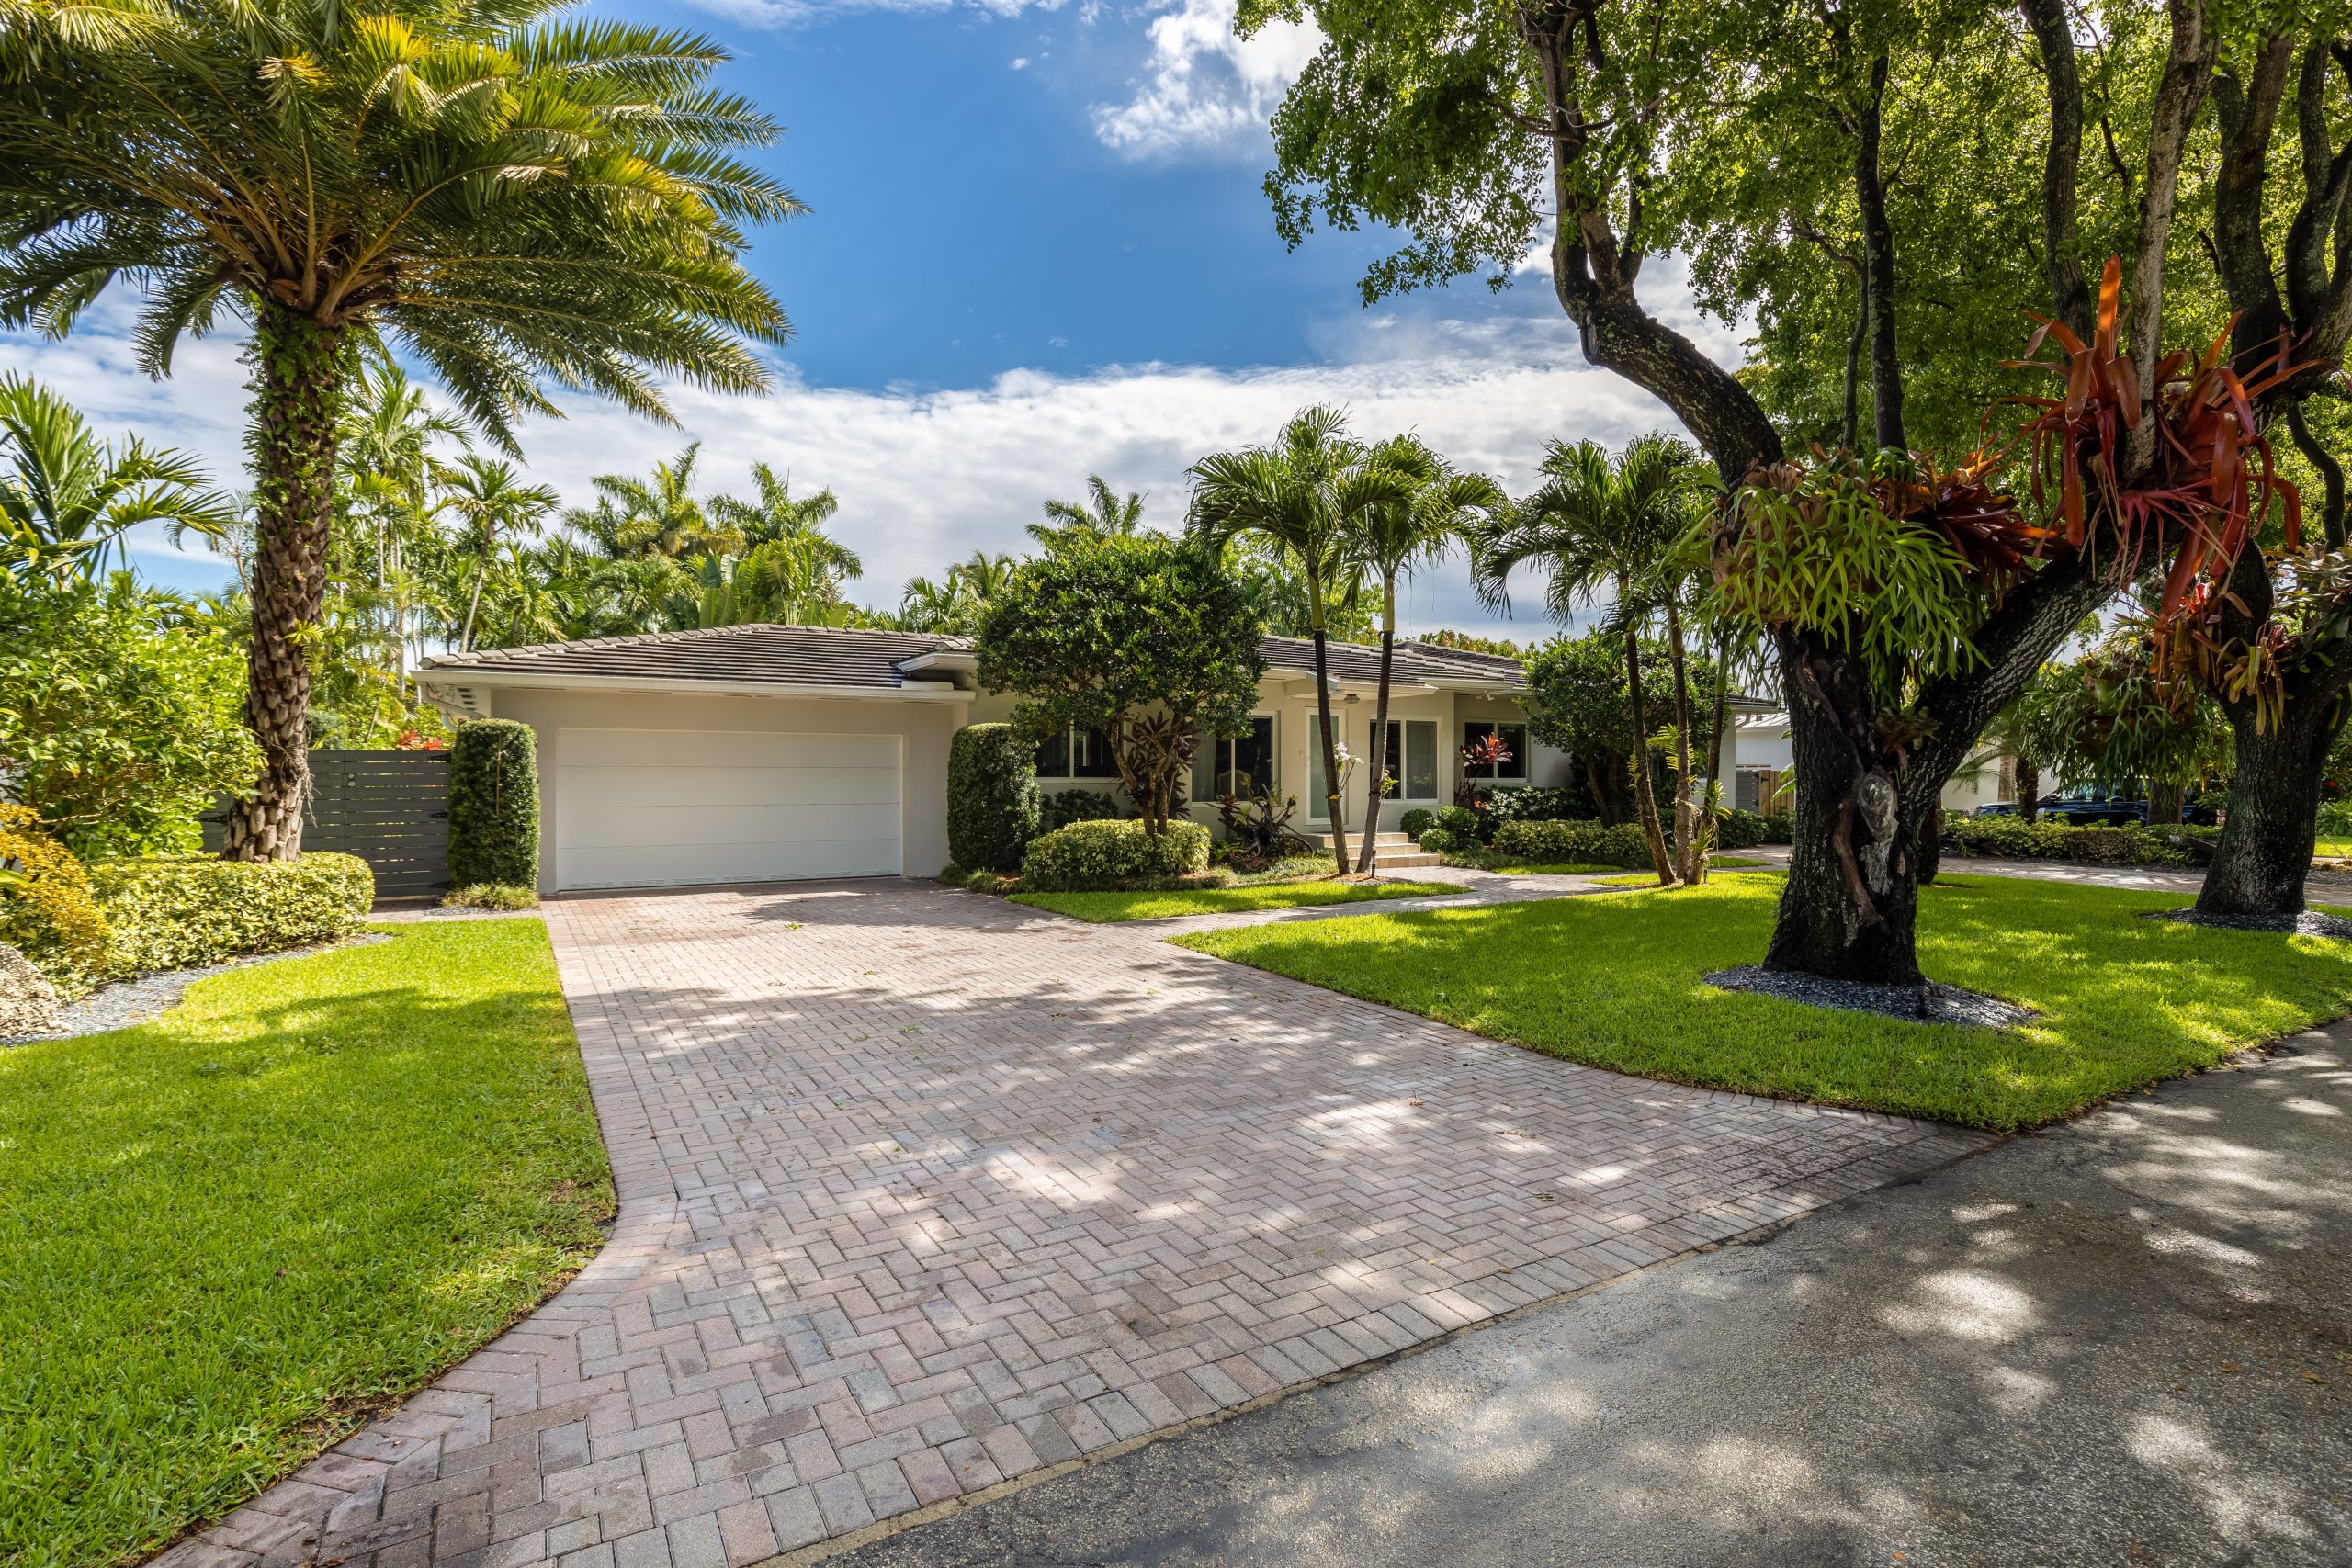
[(521, 199)]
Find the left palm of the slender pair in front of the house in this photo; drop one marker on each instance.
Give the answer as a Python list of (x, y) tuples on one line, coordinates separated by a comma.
[(1302, 495)]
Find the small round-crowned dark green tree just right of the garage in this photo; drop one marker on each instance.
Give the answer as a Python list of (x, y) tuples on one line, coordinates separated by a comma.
[(1144, 638)]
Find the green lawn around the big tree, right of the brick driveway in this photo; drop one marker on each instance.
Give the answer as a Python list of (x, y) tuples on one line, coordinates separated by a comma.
[(1615, 981)]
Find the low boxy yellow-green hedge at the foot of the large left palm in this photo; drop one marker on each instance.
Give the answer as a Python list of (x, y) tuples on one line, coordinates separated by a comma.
[(185, 911)]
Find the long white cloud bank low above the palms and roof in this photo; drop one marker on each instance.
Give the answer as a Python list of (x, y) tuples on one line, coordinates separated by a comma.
[(930, 476)]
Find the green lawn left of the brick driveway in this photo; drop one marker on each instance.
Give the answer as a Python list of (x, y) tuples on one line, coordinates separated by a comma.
[(236, 1233)]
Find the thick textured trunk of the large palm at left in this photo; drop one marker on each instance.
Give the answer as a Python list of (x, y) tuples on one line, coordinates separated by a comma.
[(298, 396)]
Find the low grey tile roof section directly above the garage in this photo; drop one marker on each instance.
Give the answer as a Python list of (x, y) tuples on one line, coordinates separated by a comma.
[(784, 655)]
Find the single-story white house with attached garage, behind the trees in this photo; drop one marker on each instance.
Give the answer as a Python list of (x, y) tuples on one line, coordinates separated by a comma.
[(759, 753)]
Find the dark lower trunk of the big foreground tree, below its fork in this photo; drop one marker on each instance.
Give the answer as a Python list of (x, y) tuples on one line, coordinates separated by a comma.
[(1852, 899)]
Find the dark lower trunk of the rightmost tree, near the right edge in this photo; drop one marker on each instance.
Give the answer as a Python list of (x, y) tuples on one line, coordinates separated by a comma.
[(2273, 826)]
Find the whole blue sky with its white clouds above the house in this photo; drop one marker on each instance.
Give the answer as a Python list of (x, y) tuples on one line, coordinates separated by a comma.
[(1038, 248)]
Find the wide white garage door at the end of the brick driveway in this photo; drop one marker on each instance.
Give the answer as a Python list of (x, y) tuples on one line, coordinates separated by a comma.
[(669, 808)]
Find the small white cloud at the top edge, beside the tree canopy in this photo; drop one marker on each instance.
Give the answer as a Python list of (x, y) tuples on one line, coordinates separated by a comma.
[(1205, 88)]
